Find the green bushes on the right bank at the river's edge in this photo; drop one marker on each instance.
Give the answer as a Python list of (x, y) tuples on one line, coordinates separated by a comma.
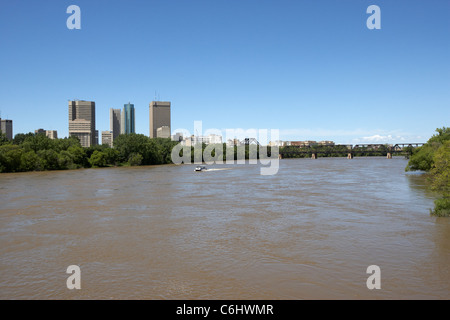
[(434, 159)]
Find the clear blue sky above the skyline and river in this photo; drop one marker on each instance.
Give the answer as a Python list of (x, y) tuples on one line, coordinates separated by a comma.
[(311, 69)]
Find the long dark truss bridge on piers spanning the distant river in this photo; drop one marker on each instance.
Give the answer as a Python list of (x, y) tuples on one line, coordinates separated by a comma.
[(350, 150)]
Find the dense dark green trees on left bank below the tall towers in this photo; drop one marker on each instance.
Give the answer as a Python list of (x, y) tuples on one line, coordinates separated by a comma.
[(37, 152)]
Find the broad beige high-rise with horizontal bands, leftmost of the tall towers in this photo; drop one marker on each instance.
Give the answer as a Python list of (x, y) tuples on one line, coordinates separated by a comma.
[(82, 122)]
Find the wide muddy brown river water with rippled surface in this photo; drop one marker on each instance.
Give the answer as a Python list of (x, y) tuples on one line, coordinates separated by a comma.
[(167, 232)]
